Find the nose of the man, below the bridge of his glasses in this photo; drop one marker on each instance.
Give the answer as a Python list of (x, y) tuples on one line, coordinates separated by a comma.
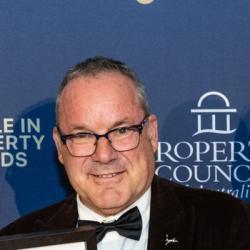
[(104, 152)]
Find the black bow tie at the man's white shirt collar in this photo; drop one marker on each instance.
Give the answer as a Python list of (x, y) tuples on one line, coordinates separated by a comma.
[(128, 225)]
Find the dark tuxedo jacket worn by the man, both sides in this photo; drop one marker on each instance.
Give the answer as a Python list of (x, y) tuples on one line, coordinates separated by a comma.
[(180, 218)]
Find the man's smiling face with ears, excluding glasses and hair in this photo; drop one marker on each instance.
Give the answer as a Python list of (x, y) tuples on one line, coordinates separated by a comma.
[(107, 181)]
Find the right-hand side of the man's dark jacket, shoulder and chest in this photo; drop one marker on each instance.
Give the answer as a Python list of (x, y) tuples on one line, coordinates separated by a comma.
[(186, 213)]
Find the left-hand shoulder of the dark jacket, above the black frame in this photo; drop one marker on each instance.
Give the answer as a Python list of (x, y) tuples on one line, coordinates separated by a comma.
[(49, 218)]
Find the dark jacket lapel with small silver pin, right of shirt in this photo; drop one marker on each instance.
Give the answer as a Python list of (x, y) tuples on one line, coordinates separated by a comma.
[(171, 226)]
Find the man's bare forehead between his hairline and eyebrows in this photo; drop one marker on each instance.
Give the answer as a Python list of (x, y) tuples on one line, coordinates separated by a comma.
[(92, 98)]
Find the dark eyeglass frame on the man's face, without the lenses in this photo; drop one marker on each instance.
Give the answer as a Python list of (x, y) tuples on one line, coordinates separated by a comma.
[(139, 127)]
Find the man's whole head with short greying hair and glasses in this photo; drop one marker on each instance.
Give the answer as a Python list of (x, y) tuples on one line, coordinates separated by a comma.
[(111, 171)]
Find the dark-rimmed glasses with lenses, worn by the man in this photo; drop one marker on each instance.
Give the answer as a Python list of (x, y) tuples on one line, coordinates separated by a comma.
[(121, 139)]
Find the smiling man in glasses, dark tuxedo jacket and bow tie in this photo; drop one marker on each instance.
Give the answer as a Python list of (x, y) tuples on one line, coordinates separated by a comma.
[(106, 139)]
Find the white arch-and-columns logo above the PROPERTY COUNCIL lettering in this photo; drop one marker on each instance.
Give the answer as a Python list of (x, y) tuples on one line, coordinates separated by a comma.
[(213, 114)]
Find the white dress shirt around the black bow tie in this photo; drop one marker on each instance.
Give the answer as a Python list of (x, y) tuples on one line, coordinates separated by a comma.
[(112, 240)]
